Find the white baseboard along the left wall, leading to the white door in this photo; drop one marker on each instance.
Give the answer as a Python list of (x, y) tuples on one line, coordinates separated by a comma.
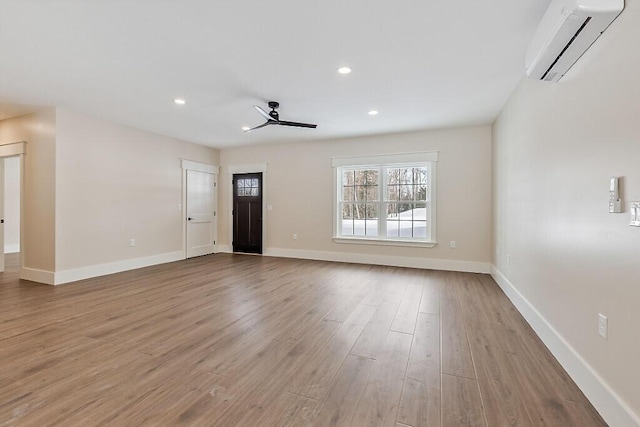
[(76, 274)]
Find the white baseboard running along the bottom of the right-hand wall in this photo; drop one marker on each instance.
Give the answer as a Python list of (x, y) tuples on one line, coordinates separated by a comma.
[(610, 406)]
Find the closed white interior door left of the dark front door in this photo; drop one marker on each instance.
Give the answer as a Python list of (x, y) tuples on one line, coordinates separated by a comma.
[(201, 212)]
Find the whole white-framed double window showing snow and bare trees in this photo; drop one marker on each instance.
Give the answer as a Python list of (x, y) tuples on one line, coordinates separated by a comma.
[(386, 199)]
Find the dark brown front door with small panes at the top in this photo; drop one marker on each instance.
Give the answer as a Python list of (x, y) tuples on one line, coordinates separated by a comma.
[(247, 213)]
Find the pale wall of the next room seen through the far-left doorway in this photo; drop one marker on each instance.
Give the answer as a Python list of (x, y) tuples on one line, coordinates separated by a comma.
[(12, 204)]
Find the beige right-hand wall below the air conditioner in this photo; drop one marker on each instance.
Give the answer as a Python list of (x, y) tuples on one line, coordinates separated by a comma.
[(555, 147)]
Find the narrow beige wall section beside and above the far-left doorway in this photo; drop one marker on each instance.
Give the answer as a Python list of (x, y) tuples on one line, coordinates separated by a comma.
[(39, 130)]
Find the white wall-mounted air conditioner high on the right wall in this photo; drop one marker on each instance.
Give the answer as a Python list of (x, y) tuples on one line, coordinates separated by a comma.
[(566, 31)]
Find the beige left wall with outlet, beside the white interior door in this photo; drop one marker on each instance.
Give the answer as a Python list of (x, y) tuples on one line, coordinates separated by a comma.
[(116, 183)]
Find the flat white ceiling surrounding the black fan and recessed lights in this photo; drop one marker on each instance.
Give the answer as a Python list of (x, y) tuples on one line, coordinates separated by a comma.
[(422, 64)]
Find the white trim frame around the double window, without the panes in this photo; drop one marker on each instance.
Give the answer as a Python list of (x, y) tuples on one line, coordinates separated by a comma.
[(388, 160)]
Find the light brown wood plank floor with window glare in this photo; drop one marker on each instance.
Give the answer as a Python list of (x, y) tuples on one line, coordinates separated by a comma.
[(228, 340)]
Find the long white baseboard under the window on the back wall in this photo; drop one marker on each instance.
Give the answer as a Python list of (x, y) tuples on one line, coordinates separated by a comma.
[(390, 260)]
